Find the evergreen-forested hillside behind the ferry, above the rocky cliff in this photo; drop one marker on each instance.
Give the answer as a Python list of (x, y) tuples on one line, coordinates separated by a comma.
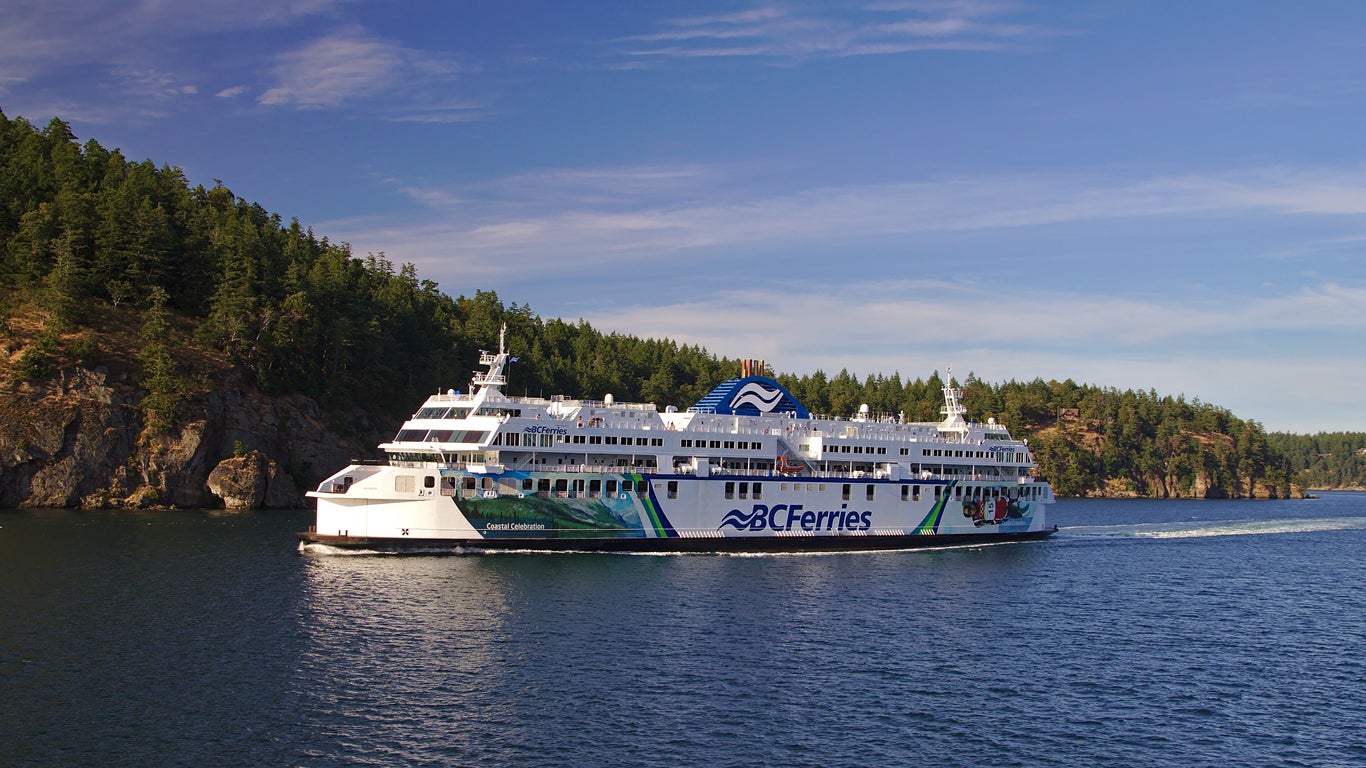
[(203, 282)]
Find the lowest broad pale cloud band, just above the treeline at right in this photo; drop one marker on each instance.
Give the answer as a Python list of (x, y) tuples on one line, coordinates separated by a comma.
[(1205, 352)]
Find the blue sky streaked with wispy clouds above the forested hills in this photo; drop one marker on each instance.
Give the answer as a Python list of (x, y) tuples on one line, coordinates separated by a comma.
[(1136, 195)]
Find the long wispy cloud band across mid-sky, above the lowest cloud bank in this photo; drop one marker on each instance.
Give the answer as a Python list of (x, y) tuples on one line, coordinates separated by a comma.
[(619, 218)]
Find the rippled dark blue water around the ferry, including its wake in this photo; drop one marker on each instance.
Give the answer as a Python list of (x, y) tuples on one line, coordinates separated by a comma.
[(1145, 633)]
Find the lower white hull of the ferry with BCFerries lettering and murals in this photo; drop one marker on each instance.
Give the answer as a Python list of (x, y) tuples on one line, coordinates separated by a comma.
[(400, 509)]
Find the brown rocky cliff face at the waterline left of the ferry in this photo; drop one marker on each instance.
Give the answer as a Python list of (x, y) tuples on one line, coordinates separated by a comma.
[(80, 442)]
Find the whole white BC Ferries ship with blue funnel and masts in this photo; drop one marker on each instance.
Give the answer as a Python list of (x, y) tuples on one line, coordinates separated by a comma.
[(747, 469)]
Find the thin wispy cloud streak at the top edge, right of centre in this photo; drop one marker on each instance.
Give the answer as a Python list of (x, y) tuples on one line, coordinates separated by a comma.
[(792, 33)]
